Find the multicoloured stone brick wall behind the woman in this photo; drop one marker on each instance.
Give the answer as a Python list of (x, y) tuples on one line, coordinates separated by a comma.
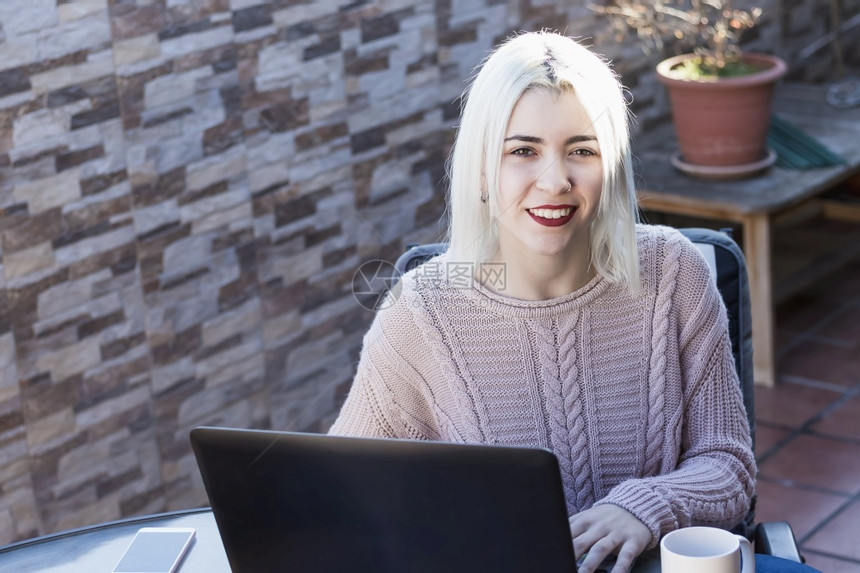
[(186, 190)]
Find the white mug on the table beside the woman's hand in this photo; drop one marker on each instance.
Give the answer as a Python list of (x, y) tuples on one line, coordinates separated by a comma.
[(705, 550)]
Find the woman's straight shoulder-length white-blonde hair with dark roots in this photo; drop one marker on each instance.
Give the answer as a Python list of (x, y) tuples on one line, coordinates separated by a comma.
[(550, 61)]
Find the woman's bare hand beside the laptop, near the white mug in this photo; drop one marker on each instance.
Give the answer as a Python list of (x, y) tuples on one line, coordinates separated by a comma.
[(605, 530)]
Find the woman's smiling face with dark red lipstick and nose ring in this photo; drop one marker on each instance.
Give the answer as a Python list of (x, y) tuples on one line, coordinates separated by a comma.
[(550, 179)]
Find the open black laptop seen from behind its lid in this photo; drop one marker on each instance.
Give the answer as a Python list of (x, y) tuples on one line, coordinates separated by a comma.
[(288, 501)]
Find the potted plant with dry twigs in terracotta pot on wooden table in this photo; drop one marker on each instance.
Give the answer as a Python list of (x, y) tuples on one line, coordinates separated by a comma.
[(720, 97)]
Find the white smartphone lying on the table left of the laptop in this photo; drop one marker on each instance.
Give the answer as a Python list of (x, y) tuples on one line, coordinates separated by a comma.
[(156, 550)]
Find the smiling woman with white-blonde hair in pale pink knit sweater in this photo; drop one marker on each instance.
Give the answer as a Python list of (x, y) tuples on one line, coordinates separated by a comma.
[(572, 327)]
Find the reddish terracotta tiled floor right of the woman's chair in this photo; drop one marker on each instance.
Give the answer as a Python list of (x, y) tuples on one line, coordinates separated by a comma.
[(819, 333)]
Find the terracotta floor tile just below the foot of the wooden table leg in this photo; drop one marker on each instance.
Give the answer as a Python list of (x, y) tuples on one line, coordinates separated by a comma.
[(791, 404)]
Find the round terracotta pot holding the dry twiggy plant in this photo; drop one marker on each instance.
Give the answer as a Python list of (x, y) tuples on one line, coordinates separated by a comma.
[(723, 122)]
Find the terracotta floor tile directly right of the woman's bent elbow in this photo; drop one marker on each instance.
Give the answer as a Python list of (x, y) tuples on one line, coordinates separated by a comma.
[(816, 462)]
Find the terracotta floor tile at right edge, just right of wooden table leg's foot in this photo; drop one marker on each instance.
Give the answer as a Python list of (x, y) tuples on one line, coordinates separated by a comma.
[(821, 361)]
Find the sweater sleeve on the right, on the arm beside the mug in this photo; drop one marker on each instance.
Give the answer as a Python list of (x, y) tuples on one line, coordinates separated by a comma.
[(714, 479)]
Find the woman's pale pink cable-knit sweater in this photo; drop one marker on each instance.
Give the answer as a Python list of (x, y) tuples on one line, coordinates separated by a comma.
[(637, 396)]
